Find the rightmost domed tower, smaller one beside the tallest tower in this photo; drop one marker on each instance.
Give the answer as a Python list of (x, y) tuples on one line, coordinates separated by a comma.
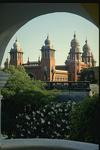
[(87, 56)]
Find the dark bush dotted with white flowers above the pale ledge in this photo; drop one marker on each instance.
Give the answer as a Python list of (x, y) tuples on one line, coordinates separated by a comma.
[(50, 121)]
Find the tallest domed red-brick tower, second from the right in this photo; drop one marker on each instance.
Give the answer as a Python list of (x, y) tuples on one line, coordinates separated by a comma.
[(73, 62)]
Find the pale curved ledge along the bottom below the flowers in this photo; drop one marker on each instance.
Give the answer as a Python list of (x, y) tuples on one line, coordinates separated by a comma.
[(46, 144)]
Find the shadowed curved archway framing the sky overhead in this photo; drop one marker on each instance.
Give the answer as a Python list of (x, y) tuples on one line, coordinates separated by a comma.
[(15, 15)]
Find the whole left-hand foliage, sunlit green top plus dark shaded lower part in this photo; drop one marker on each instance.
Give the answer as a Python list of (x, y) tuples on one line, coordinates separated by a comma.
[(18, 92)]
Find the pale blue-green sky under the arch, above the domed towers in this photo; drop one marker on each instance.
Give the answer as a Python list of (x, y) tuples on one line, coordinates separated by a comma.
[(61, 27)]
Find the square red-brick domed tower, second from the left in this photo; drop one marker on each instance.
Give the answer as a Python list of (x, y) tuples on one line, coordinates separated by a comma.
[(47, 61)]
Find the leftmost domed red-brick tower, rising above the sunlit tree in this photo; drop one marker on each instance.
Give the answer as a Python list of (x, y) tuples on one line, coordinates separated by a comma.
[(16, 54)]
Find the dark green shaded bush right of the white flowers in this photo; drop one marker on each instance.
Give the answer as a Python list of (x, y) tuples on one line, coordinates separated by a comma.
[(84, 120)]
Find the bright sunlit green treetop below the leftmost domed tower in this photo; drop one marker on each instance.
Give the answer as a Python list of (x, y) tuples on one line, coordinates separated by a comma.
[(18, 81)]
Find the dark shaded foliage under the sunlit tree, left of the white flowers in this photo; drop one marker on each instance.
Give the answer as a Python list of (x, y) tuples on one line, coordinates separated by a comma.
[(15, 104)]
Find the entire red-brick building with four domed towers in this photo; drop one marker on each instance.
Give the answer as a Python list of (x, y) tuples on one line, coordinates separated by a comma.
[(45, 68)]
